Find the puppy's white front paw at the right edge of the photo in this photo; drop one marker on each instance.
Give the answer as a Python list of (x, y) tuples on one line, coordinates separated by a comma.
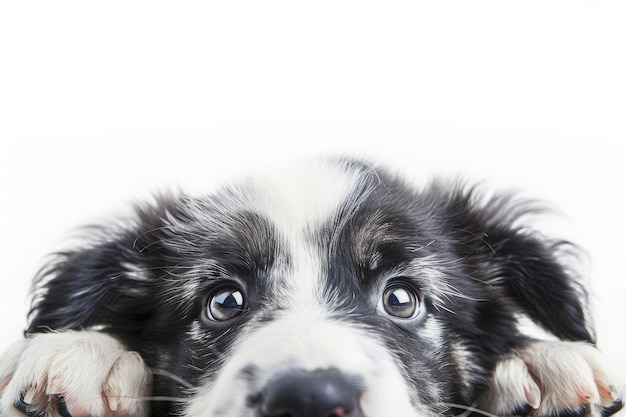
[(553, 379)]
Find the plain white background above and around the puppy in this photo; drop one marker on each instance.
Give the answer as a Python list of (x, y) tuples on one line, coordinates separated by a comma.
[(103, 103)]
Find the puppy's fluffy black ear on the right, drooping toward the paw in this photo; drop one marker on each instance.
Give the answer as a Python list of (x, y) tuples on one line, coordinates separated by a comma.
[(519, 263)]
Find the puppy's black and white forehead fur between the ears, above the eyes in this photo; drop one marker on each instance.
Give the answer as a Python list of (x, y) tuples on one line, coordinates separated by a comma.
[(299, 228)]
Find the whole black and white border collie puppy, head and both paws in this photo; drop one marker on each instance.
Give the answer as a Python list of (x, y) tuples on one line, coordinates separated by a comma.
[(333, 290)]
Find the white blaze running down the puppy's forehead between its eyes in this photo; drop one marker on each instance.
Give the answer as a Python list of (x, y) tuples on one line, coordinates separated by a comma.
[(298, 202)]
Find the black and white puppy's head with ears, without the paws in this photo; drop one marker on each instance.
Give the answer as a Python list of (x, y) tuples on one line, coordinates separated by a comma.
[(333, 290)]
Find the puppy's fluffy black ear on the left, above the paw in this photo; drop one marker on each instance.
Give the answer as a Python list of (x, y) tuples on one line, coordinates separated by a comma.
[(106, 282)]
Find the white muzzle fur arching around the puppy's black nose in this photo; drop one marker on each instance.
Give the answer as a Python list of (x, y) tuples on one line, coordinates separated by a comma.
[(309, 341)]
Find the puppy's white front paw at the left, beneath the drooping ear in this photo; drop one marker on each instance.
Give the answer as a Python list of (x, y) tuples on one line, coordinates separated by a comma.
[(80, 374)]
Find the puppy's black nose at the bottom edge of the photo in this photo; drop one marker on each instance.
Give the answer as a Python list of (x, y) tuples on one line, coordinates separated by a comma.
[(318, 393)]
